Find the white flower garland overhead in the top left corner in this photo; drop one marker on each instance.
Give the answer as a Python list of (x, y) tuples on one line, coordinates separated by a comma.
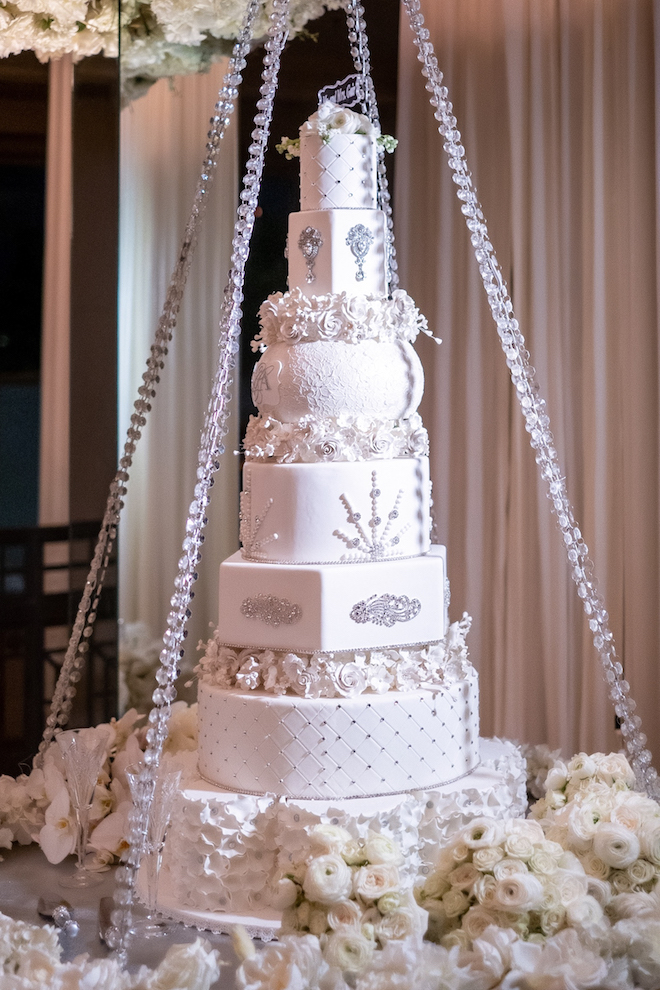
[(159, 38)]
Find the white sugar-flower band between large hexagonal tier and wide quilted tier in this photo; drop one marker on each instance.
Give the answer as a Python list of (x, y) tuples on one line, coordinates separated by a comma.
[(334, 675)]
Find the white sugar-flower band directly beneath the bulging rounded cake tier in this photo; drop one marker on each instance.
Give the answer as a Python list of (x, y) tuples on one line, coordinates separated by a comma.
[(340, 438)]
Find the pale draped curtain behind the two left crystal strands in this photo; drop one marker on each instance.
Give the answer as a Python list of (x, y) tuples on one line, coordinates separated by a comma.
[(163, 137)]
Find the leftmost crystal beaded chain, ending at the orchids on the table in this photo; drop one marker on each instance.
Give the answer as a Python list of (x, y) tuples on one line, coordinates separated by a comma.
[(78, 647)]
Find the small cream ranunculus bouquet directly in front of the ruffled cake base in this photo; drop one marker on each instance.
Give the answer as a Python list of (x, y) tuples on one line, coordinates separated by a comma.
[(349, 893)]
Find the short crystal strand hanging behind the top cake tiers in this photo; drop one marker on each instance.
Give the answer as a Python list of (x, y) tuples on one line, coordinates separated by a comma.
[(359, 47)]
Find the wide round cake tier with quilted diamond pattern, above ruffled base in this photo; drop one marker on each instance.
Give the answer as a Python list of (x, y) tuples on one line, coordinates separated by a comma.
[(306, 748)]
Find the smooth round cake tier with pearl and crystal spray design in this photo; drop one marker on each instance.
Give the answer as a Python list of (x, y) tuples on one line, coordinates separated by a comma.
[(304, 513)]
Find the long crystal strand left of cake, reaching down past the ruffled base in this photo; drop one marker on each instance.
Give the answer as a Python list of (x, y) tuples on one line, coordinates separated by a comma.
[(215, 428)]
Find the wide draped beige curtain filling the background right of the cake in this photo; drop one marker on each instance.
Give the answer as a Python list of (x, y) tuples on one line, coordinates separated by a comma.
[(555, 102)]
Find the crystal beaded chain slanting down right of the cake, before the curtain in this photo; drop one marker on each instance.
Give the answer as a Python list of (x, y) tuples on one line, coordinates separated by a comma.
[(537, 422)]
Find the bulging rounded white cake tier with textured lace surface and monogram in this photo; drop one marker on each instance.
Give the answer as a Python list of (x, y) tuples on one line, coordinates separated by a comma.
[(371, 379)]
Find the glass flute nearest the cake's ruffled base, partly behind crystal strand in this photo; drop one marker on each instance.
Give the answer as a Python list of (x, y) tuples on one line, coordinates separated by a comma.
[(160, 797)]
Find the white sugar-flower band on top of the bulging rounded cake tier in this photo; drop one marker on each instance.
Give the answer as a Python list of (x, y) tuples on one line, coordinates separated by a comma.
[(293, 318)]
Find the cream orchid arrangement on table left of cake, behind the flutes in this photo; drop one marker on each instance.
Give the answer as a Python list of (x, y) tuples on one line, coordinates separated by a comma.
[(35, 807)]
